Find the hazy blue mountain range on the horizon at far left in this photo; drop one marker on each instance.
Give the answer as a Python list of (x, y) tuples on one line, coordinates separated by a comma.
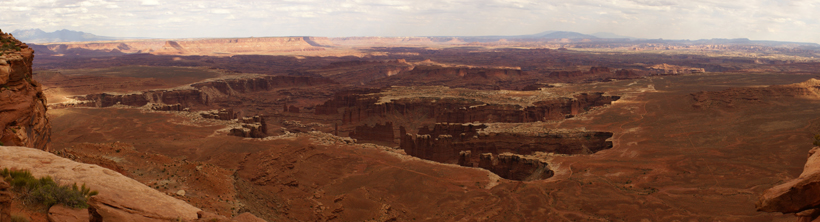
[(65, 35)]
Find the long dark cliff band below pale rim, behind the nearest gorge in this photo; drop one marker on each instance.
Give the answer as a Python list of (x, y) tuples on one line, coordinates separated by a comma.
[(356, 108)]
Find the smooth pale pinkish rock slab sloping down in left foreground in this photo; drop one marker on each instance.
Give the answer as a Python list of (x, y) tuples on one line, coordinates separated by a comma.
[(120, 198)]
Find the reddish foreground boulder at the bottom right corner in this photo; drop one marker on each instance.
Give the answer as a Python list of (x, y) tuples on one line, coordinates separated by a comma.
[(800, 195)]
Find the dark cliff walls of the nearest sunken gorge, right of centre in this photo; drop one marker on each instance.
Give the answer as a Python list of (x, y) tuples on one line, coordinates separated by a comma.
[(465, 145)]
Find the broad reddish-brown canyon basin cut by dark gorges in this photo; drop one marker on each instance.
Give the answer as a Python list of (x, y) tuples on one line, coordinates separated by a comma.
[(346, 138)]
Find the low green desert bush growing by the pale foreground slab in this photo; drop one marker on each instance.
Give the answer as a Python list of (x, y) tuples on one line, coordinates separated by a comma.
[(45, 191)]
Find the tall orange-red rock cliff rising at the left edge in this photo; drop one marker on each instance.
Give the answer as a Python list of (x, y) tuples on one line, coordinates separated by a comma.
[(23, 118)]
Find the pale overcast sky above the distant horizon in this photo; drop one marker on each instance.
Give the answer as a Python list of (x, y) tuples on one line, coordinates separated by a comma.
[(669, 19)]
